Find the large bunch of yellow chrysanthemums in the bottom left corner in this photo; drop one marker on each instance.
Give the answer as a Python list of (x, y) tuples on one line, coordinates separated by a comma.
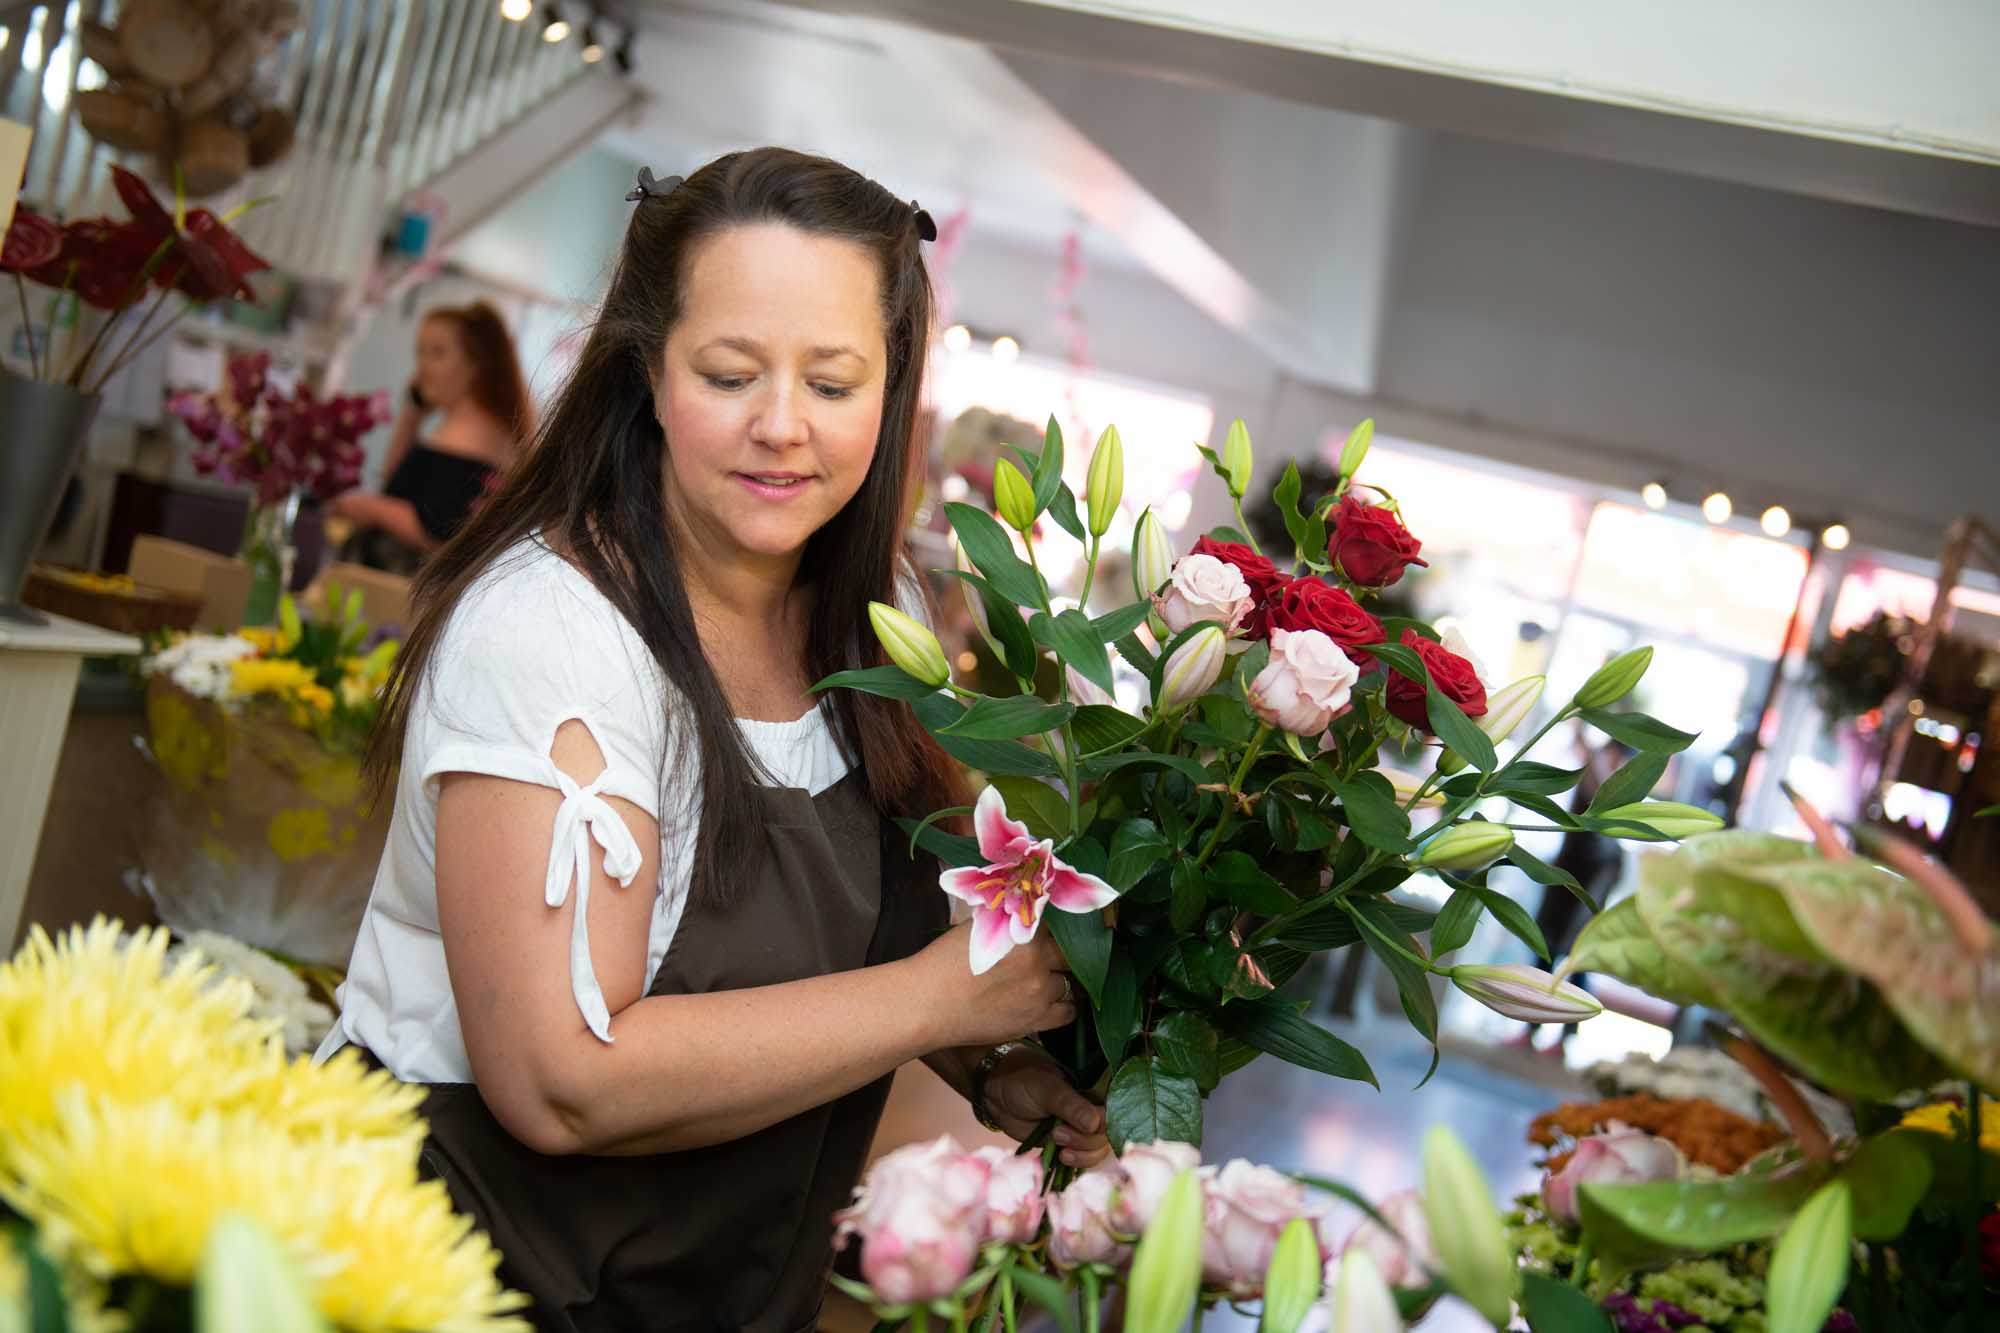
[(167, 1166)]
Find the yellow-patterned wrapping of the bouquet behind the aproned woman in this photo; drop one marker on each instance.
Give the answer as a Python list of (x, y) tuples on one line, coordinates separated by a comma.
[(259, 832)]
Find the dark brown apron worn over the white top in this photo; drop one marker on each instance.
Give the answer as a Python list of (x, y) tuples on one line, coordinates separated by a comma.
[(737, 1236)]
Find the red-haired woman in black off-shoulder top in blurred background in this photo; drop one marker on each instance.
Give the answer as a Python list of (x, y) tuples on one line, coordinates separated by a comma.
[(465, 369)]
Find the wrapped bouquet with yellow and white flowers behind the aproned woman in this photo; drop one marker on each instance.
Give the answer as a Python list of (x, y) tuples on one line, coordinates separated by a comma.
[(263, 828)]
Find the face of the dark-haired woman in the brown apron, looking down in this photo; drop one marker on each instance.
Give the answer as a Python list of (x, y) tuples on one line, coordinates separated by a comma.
[(771, 389)]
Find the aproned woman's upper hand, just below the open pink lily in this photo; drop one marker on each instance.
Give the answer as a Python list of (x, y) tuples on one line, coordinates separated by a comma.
[(1027, 992)]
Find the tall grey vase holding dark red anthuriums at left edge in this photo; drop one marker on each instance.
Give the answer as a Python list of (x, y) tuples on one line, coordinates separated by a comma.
[(43, 431)]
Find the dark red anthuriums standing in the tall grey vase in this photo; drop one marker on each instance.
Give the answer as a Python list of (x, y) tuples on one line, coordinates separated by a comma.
[(111, 267)]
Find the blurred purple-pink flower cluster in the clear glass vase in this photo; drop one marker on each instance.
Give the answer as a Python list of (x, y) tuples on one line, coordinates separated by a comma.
[(279, 443)]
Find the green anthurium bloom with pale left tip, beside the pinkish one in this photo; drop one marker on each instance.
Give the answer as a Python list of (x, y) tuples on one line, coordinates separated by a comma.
[(1739, 936)]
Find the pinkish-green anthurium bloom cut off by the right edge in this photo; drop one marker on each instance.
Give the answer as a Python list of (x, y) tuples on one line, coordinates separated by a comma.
[(1887, 930)]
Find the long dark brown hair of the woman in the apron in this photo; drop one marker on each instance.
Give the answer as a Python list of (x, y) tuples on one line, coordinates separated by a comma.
[(593, 483)]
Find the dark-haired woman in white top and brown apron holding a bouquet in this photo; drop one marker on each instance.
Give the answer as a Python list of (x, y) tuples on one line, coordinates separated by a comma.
[(643, 922)]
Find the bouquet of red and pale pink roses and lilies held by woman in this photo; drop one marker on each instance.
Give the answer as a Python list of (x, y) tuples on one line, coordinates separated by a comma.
[(1199, 850)]
